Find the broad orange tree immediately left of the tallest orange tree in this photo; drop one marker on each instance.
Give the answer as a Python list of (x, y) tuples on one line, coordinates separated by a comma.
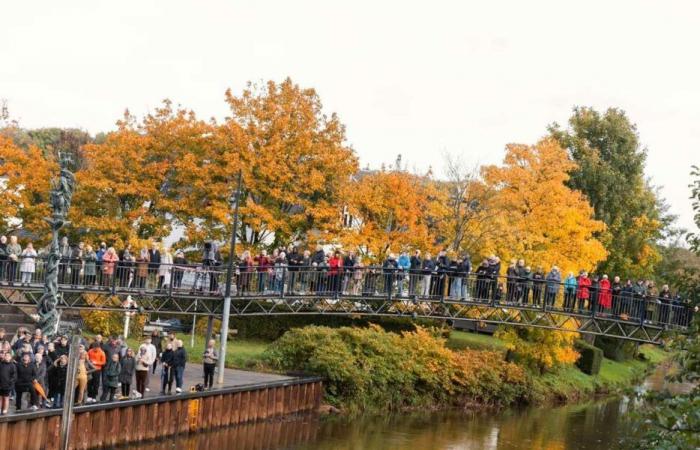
[(138, 183)]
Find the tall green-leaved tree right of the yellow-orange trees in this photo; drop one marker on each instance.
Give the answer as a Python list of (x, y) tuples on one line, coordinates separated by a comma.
[(610, 172)]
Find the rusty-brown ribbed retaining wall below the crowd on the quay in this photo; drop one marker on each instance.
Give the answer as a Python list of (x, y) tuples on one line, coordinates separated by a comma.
[(118, 423)]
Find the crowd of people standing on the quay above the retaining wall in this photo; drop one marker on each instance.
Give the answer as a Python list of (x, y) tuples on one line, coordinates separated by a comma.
[(34, 369)]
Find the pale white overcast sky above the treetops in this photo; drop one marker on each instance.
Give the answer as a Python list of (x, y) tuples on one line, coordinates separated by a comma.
[(416, 78)]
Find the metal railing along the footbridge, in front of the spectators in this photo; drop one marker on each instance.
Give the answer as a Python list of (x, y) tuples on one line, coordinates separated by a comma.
[(280, 282)]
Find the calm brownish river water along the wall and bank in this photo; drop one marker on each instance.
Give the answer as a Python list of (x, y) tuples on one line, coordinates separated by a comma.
[(598, 424)]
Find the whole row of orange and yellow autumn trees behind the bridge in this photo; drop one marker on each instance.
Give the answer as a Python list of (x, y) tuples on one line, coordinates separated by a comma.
[(171, 169)]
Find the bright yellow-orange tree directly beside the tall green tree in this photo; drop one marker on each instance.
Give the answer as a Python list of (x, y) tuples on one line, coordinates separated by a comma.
[(542, 220)]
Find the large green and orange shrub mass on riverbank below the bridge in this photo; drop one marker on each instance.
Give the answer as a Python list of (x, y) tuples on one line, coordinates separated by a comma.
[(370, 368)]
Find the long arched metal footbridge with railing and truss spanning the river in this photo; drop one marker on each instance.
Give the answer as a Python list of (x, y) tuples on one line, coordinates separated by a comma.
[(197, 290)]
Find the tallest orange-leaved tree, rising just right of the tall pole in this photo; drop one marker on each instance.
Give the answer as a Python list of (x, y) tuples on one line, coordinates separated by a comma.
[(296, 164)]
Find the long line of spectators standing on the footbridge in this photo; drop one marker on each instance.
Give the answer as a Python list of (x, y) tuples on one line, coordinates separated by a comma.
[(294, 271)]
